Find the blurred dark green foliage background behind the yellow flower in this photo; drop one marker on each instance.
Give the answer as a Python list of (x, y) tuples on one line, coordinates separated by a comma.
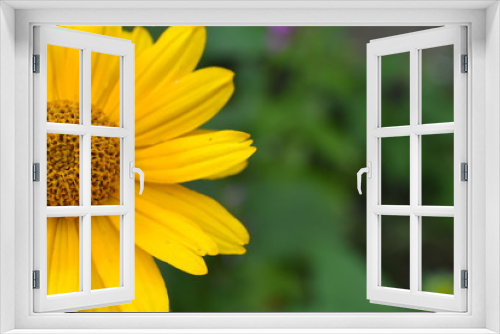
[(301, 94)]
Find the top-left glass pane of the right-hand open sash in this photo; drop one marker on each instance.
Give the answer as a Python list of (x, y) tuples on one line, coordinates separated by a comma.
[(395, 95)]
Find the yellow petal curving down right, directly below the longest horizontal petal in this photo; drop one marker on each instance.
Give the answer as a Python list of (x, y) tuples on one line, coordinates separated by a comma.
[(229, 234)]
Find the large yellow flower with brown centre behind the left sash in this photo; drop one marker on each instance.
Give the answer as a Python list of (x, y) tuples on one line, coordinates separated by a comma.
[(173, 223)]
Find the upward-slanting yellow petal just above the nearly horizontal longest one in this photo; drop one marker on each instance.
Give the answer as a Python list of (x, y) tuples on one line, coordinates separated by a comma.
[(182, 106)]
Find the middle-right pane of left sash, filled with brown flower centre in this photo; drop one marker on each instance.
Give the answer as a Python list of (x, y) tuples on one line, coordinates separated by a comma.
[(105, 170)]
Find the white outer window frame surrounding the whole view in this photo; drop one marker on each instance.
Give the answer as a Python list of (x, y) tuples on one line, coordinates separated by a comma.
[(483, 21)]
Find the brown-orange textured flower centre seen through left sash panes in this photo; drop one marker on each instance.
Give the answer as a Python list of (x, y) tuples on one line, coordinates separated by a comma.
[(63, 158)]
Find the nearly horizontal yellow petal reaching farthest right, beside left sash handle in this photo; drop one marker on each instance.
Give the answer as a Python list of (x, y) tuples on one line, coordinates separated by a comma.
[(194, 157)]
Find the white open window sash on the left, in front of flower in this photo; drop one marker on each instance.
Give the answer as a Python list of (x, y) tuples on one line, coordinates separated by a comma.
[(85, 43)]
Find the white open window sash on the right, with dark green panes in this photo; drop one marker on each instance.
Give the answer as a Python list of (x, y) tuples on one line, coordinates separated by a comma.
[(414, 297)]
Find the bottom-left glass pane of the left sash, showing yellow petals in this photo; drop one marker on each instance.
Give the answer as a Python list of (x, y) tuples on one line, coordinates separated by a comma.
[(63, 255)]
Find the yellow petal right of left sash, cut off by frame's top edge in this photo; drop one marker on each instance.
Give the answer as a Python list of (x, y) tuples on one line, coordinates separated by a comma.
[(175, 54)]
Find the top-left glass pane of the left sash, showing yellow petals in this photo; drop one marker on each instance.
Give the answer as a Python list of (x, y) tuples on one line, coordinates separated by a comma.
[(63, 85)]
